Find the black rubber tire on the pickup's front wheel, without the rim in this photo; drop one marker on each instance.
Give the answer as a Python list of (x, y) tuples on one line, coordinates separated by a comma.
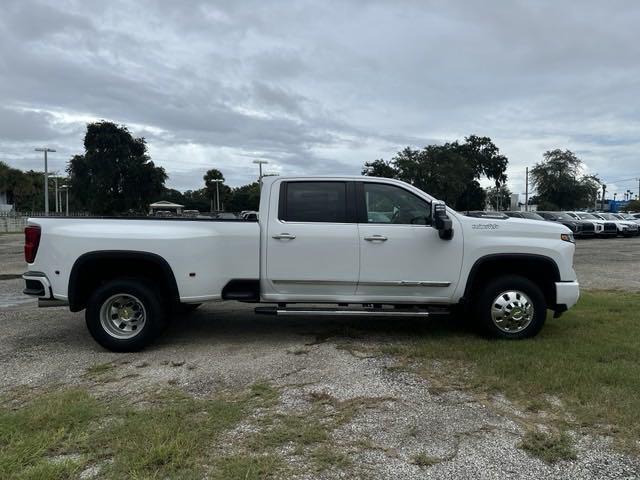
[(484, 303)]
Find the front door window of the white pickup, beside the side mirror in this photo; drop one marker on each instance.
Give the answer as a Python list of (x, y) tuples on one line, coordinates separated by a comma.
[(394, 205)]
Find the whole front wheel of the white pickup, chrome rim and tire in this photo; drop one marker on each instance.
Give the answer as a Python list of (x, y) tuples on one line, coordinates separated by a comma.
[(511, 307)]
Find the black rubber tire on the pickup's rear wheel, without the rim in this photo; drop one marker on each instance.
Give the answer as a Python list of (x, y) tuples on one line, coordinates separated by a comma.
[(148, 298)]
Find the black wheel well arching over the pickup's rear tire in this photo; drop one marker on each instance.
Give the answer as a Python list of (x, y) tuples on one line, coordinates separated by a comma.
[(94, 269)]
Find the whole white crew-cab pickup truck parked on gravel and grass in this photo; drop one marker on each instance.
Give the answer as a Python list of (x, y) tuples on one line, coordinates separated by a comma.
[(342, 245)]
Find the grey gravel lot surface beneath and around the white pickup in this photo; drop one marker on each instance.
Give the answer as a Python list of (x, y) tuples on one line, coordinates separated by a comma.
[(226, 346)]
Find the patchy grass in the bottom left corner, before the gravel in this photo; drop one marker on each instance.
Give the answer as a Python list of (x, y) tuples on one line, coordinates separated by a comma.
[(168, 434)]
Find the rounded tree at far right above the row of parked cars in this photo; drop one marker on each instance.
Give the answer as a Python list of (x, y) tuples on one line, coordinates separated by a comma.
[(560, 183)]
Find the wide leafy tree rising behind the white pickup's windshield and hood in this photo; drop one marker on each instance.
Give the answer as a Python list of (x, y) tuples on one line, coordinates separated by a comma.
[(449, 172)]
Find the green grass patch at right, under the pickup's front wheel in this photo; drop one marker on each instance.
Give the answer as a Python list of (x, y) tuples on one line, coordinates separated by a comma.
[(588, 359)]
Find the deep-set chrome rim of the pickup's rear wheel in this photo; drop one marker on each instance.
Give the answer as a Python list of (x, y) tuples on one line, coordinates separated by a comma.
[(122, 316)]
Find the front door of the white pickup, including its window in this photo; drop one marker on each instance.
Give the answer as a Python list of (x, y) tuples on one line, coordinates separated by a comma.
[(402, 257)]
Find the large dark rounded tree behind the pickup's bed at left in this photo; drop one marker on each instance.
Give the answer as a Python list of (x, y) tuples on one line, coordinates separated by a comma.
[(115, 174)]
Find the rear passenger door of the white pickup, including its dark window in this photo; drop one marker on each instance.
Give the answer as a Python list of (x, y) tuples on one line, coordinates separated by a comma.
[(312, 247)]
